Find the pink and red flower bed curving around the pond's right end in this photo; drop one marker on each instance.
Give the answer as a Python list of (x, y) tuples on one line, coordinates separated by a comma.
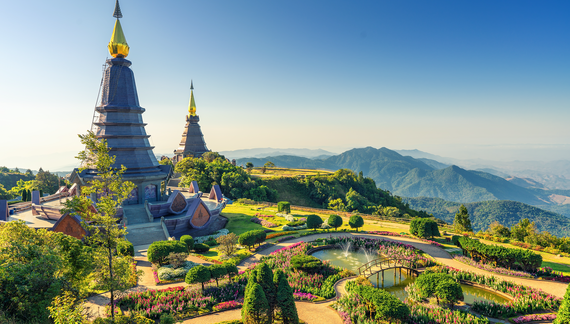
[(526, 300)]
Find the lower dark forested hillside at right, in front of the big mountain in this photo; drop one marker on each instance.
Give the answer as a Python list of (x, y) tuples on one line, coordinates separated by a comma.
[(484, 213)]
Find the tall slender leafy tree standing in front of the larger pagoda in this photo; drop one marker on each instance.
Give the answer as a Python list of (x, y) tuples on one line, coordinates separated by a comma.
[(113, 271)]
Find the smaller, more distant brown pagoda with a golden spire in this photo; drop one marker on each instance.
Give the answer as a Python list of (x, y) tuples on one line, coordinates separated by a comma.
[(192, 143)]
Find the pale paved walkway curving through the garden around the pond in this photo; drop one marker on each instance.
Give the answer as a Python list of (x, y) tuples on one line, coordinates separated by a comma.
[(320, 313)]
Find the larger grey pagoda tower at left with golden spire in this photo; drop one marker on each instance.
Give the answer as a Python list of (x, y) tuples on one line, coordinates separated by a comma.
[(118, 119)]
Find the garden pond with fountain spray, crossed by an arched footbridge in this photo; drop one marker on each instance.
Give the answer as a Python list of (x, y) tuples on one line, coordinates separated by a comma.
[(393, 281)]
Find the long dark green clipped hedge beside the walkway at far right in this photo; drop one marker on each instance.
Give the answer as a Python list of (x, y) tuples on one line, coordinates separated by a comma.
[(509, 258)]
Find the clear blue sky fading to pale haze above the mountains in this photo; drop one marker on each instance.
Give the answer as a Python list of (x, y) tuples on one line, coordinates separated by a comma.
[(487, 79)]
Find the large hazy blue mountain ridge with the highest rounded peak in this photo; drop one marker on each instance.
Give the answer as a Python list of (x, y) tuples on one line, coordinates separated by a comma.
[(410, 177)]
